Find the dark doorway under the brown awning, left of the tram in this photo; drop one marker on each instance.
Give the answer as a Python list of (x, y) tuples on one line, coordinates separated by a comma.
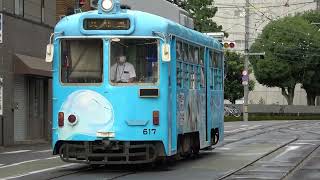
[(38, 104)]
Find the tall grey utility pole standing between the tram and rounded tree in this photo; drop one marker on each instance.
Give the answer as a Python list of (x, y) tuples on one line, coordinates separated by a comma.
[(246, 62)]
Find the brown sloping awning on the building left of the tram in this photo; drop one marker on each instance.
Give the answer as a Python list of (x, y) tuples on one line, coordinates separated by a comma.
[(24, 64)]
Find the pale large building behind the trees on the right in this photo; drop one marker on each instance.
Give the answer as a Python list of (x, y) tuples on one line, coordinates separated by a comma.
[(231, 15)]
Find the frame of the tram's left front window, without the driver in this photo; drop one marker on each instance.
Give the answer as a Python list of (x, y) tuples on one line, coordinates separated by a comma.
[(101, 80)]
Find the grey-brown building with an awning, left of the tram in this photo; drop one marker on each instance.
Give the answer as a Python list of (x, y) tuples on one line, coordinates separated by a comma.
[(25, 99)]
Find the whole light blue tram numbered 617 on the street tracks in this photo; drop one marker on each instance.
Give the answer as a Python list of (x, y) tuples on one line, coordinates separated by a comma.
[(130, 87)]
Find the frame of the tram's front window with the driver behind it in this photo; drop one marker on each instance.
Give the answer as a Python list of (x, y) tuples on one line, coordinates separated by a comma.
[(136, 82)]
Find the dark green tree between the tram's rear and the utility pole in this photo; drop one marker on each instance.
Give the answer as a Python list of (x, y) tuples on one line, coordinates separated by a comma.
[(233, 89)]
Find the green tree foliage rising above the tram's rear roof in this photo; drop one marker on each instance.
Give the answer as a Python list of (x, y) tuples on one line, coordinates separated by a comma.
[(202, 13)]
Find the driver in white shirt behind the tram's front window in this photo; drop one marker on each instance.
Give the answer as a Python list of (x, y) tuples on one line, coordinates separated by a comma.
[(122, 71)]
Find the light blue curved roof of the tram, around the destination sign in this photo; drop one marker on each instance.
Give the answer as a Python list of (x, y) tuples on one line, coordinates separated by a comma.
[(145, 24)]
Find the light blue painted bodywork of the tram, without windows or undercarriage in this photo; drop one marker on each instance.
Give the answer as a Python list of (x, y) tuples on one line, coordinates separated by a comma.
[(125, 112)]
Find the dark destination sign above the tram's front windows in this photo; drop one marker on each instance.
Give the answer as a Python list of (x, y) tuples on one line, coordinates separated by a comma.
[(106, 24)]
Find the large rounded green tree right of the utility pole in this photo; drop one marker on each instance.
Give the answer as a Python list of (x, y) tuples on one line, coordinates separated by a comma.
[(288, 43)]
